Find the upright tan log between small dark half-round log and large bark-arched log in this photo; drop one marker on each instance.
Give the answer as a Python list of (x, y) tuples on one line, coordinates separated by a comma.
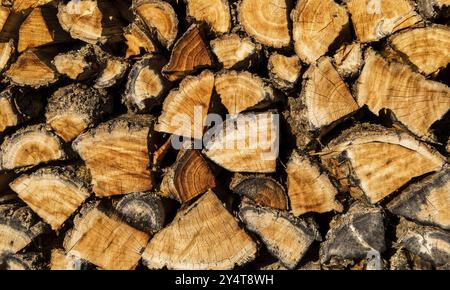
[(309, 187)]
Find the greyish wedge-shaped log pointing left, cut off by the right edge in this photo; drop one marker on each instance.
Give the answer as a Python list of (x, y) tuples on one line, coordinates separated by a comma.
[(426, 201)]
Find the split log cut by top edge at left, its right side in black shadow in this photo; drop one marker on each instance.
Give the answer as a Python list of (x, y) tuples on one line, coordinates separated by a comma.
[(91, 21)]
